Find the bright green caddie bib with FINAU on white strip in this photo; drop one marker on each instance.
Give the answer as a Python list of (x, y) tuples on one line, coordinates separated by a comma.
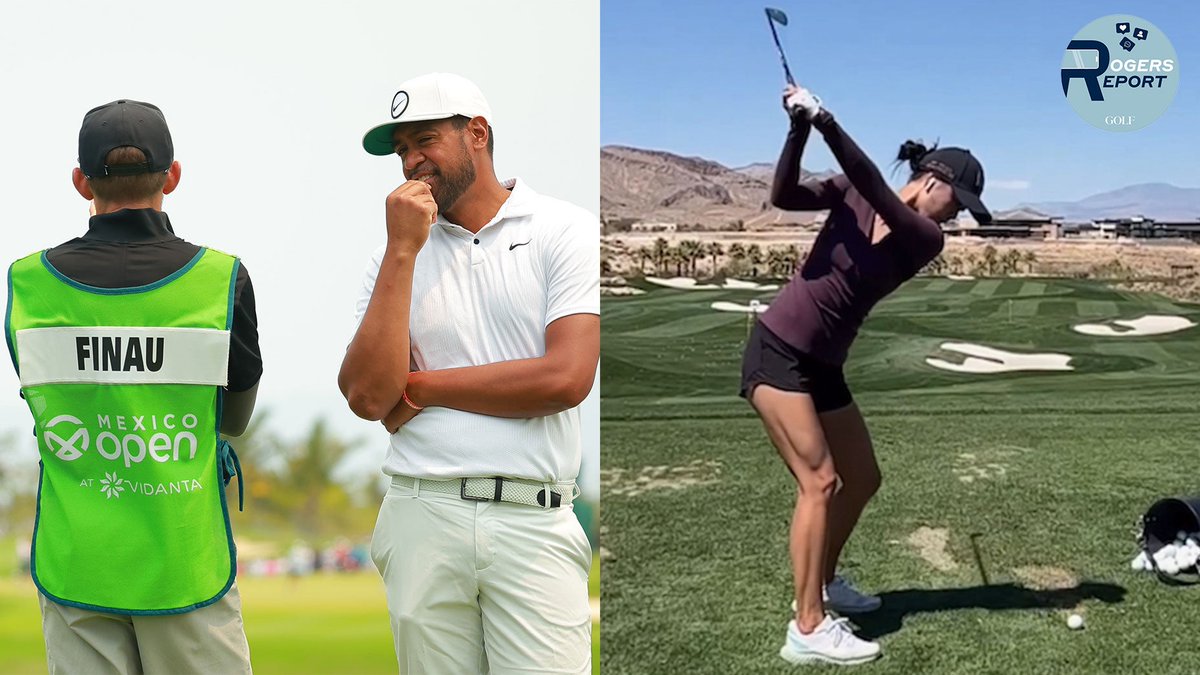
[(125, 386)]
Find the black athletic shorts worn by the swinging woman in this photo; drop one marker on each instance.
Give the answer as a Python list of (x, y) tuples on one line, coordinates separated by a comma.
[(773, 362)]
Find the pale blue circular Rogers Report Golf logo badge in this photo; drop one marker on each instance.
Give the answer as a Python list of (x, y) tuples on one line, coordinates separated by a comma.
[(1120, 73)]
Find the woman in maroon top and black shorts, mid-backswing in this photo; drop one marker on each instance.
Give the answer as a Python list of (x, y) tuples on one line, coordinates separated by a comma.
[(874, 241)]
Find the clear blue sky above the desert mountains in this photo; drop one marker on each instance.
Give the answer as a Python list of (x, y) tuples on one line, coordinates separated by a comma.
[(704, 79)]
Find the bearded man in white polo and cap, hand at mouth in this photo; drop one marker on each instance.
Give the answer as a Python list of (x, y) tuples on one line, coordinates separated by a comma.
[(479, 336)]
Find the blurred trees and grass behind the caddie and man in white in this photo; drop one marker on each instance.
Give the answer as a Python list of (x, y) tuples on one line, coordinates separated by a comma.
[(328, 623)]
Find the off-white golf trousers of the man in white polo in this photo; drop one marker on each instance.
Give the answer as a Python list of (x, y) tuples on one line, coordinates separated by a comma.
[(483, 587)]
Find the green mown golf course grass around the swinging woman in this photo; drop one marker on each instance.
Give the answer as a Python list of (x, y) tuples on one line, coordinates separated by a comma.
[(1043, 470)]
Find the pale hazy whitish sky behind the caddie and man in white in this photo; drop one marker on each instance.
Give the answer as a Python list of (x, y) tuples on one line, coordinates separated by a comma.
[(267, 104)]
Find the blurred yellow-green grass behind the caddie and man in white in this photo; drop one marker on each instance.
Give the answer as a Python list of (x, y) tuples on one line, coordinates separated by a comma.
[(325, 624)]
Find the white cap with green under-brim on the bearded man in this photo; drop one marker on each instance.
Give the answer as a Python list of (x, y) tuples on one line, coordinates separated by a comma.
[(433, 97)]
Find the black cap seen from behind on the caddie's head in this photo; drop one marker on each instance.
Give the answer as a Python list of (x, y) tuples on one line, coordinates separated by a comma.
[(119, 124)]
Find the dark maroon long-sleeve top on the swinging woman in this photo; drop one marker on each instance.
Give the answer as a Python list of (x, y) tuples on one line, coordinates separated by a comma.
[(821, 310)]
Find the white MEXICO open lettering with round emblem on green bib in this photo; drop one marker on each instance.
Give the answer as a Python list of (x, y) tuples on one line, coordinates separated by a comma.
[(69, 440)]
